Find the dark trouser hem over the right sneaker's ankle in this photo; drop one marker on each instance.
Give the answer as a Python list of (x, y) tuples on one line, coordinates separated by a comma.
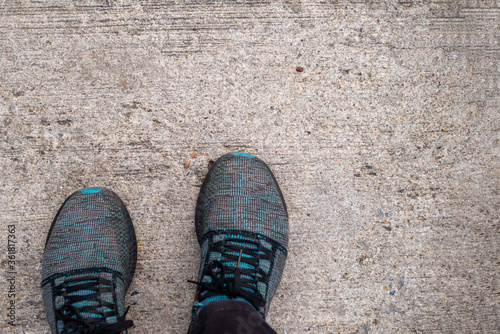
[(229, 317)]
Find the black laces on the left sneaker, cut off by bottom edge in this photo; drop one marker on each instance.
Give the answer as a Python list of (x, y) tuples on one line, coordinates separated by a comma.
[(72, 317)]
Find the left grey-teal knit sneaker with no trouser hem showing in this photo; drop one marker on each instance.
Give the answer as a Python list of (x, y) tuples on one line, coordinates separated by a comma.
[(88, 264)]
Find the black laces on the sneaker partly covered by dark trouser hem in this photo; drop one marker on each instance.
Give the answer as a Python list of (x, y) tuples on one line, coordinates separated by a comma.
[(232, 280)]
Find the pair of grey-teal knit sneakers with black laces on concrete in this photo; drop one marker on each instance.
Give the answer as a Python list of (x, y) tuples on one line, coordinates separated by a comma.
[(91, 249)]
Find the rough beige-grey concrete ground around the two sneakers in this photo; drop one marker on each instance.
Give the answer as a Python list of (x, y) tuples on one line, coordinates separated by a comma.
[(385, 146)]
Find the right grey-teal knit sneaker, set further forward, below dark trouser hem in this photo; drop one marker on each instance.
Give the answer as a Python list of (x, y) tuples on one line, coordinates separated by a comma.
[(242, 228)]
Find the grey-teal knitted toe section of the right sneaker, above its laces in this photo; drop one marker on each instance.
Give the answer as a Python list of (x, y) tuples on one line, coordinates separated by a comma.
[(241, 193)]
